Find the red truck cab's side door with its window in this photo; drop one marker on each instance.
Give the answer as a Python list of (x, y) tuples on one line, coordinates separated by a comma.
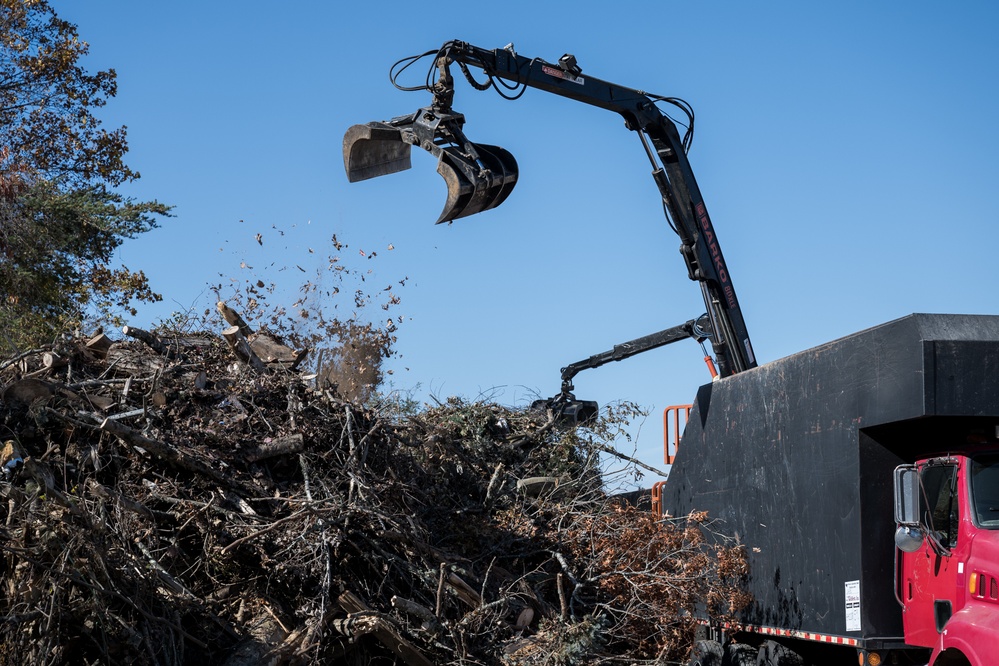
[(929, 575)]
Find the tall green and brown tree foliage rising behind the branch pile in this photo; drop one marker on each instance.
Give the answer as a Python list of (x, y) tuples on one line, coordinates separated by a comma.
[(60, 219)]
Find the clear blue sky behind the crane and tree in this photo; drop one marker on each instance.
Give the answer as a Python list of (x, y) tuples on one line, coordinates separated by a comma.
[(847, 152)]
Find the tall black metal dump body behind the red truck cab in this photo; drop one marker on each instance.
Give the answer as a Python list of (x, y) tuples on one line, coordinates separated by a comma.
[(795, 458)]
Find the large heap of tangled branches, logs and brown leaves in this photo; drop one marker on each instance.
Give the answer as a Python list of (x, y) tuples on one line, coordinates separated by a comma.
[(200, 499)]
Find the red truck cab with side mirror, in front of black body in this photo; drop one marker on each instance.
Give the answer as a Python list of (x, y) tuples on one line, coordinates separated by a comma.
[(947, 510)]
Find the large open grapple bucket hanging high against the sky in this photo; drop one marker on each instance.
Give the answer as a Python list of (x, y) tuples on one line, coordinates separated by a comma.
[(478, 176)]
